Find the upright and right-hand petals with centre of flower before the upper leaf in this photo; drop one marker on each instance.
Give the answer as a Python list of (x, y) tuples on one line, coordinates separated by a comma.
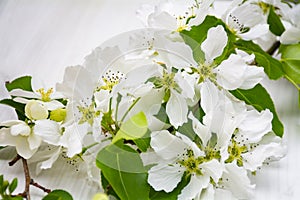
[(233, 72)]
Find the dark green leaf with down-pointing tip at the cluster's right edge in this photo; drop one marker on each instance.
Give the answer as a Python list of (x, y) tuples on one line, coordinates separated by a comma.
[(260, 99)]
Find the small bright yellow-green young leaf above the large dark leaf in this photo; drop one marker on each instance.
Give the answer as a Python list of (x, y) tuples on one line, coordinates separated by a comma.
[(134, 128)]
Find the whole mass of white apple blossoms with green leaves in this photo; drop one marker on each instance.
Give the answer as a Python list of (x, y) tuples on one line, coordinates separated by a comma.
[(178, 111)]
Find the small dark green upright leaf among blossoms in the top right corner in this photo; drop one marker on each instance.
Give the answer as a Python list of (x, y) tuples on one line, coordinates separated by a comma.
[(275, 24)]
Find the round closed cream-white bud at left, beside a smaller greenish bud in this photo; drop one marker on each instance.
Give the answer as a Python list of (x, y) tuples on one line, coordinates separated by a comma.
[(36, 110)]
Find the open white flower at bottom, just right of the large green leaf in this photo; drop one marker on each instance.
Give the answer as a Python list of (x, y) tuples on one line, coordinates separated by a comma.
[(178, 155)]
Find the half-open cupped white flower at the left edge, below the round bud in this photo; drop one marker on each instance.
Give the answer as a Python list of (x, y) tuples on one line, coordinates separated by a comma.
[(19, 134)]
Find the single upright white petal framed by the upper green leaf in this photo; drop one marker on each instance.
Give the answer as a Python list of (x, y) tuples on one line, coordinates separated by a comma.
[(215, 43)]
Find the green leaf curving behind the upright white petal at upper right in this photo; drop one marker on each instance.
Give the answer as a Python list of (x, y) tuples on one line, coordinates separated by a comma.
[(198, 34)]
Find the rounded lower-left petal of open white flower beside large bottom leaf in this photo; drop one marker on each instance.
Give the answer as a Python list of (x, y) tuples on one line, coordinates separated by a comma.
[(165, 177)]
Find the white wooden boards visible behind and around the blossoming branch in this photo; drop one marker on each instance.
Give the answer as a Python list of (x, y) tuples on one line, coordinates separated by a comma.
[(42, 37)]
